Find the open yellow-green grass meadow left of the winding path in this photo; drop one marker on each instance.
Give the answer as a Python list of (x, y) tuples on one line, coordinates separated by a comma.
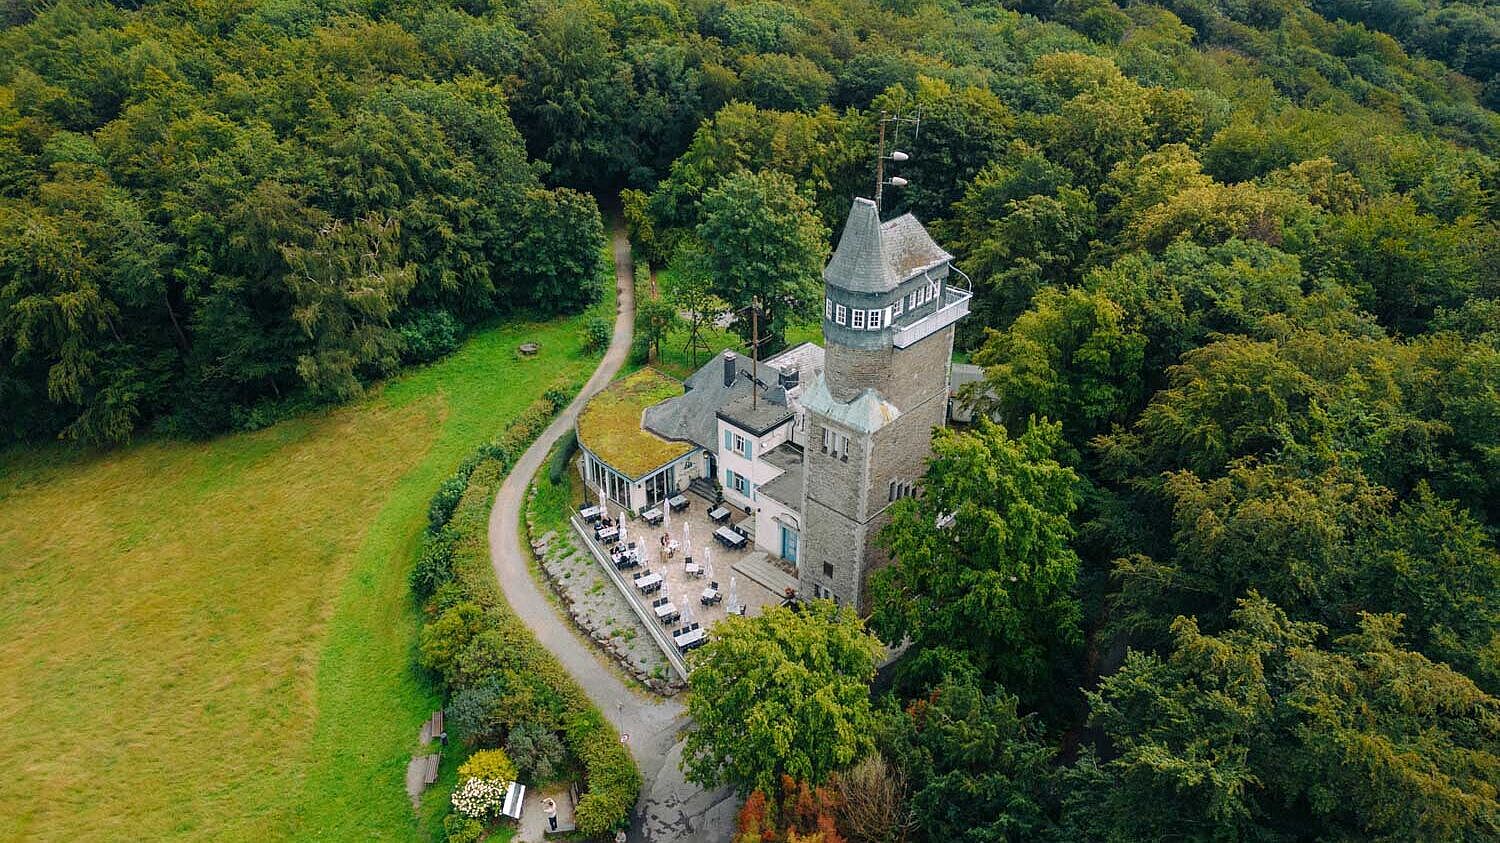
[(214, 641)]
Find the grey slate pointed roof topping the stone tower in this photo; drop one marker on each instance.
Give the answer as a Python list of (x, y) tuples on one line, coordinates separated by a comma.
[(877, 257)]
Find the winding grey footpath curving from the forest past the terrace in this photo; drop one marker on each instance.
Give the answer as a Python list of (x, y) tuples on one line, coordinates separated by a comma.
[(671, 809)]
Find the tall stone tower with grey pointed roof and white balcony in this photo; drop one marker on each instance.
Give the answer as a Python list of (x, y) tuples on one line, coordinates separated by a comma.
[(889, 316)]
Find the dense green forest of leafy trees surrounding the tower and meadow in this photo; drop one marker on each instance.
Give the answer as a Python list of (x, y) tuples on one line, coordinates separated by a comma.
[(1222, 568)]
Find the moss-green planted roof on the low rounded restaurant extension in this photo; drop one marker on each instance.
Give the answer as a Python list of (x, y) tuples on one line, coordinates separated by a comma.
[(610, 427)]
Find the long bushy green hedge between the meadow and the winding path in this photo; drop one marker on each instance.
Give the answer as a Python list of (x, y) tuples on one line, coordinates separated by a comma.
[(473, 640)]
